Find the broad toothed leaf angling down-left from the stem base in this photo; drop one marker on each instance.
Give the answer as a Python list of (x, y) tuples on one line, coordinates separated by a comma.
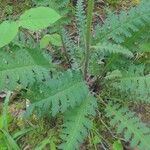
[(57, 95)]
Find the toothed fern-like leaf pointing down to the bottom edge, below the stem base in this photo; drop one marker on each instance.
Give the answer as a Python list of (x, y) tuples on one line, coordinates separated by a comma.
[(77, 124)]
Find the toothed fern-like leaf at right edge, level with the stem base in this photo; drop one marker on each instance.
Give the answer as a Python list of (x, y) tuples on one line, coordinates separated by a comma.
[(135, 82)]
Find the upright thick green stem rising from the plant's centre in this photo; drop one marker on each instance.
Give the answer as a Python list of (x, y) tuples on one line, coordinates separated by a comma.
[(88, 34)]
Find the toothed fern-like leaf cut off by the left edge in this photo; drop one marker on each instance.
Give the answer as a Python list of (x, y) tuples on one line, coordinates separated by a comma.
[(22, 66)]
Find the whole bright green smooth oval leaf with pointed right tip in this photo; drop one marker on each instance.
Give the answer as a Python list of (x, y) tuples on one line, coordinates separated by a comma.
[(38, 18)]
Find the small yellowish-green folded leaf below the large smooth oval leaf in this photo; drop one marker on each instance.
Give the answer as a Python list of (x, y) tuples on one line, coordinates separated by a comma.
[(54, 39)]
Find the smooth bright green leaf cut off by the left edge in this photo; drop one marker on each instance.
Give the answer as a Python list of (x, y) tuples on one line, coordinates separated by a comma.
[(8, 31)]
